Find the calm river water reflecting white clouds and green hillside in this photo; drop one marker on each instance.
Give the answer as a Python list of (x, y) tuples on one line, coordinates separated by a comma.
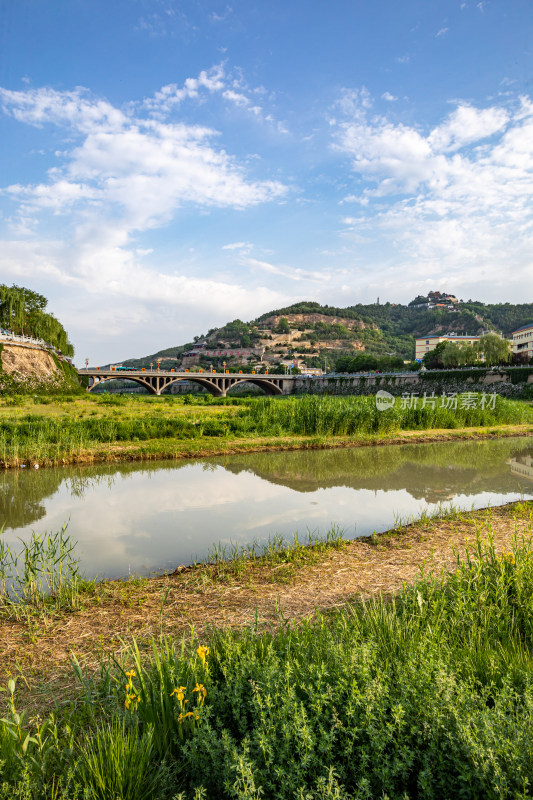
[(151, 515)]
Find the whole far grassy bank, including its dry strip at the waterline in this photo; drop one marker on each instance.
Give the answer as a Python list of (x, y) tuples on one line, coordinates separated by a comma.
[(82, 429)]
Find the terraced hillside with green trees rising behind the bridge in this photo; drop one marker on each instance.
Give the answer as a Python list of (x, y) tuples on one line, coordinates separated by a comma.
[(320, 334)]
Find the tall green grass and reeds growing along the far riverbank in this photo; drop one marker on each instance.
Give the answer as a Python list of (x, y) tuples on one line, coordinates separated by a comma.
[(45, 437)]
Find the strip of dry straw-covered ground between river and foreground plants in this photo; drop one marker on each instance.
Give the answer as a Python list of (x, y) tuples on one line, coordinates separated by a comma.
[(253, 592)]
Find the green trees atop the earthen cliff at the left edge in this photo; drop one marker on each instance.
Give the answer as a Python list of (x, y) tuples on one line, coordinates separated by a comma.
[(24, 312)]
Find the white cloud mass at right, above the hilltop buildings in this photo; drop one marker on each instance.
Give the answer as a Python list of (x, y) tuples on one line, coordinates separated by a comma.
[(456, 199)]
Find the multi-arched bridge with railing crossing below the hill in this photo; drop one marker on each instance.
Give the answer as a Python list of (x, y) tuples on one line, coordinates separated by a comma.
[(217, 383)]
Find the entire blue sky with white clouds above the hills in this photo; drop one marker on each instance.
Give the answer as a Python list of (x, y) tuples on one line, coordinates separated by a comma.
[(168, 166)]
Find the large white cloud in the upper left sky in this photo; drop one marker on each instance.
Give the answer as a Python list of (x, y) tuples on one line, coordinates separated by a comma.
[(141, 169)]
